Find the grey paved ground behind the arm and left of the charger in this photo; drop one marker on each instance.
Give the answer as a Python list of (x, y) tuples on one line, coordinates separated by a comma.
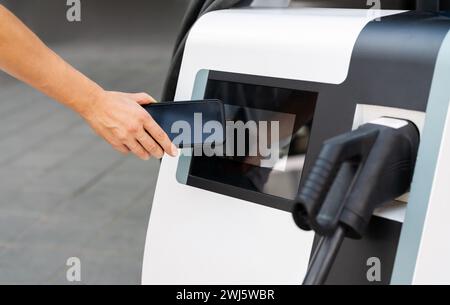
[(63, 191)]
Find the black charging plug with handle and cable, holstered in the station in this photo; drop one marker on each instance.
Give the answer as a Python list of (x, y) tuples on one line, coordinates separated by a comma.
[(354, 174)]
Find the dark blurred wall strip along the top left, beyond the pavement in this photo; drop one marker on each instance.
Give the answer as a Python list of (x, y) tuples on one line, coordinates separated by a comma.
[(101, 19)]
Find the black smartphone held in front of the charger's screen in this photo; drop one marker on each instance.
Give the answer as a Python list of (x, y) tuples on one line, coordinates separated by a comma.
[(190, 123)]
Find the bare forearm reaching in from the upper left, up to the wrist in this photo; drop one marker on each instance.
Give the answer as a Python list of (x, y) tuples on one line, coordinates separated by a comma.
[(24, 56)]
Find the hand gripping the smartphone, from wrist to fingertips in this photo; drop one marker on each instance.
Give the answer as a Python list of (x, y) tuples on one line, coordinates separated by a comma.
[(123, 123)]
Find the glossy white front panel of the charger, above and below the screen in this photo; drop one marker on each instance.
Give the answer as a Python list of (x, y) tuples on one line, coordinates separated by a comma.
[(201, 237)]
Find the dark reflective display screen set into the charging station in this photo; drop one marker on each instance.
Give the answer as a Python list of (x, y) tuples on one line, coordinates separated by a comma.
[(267, 135)]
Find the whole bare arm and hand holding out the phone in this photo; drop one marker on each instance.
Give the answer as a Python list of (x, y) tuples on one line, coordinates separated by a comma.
[(115, 116)]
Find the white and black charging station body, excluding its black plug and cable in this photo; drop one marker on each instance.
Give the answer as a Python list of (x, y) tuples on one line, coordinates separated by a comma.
[(320, 72)]
